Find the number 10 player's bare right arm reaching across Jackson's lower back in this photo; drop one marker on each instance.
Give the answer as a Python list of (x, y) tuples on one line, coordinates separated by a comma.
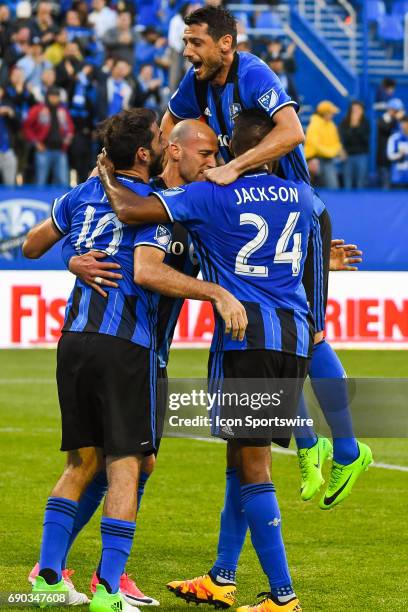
[(151, 272)]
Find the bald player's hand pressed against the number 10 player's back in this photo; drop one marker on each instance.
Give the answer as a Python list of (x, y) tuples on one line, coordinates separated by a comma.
[(89, 267)]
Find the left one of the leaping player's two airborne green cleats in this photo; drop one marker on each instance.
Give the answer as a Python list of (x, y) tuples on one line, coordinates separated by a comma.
[(310, 463)]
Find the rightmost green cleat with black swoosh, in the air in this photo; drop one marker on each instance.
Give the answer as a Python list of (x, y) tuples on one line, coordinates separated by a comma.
[(343, 477)]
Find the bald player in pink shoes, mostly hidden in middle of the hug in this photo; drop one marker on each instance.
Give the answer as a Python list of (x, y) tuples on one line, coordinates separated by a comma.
[(192, 149)]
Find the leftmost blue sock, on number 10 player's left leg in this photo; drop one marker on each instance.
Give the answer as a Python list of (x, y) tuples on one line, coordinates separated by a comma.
[(58, 523)]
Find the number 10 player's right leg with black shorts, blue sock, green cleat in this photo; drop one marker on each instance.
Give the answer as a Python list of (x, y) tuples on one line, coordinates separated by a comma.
[(128, 398)]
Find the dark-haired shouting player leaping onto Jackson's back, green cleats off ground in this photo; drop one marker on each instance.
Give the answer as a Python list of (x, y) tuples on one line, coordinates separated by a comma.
[(220, 84)]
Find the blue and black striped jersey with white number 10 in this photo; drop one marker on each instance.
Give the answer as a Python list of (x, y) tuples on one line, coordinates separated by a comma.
[(129, 312)]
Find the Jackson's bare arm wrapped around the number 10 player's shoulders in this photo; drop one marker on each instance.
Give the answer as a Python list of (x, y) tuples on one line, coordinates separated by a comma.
[(129, 207)]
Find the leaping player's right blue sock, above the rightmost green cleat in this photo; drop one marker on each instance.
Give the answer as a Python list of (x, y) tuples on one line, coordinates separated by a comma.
[(330, 387)]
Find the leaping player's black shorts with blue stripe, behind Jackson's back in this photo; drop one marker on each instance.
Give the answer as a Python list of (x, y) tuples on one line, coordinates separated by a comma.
[(317, 267)]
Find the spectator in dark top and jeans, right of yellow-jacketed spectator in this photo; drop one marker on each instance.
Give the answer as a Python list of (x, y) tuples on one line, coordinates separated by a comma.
[(355, 136)]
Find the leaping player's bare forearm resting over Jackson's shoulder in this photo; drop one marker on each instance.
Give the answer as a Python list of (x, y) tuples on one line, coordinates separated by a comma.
[(285, 136)]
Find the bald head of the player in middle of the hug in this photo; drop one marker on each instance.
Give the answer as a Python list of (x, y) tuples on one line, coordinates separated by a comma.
[(193, 147)]
